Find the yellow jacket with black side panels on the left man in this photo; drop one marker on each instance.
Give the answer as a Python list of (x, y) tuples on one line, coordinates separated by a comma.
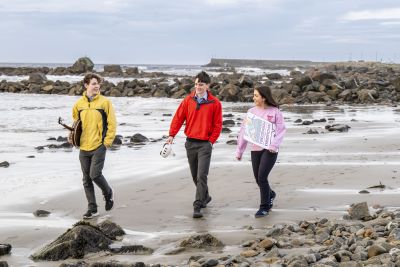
[(98, 121)]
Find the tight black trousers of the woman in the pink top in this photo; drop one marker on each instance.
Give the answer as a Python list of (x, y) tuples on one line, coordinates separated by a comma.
[(263, 162)]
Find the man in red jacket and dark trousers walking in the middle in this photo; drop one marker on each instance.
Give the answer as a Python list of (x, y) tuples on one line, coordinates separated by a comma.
[(203, 115)]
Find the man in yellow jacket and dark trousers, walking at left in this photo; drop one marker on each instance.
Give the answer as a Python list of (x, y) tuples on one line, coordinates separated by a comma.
[(98, 132)]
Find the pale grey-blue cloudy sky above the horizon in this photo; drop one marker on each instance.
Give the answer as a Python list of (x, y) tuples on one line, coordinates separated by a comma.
[(191, 32)]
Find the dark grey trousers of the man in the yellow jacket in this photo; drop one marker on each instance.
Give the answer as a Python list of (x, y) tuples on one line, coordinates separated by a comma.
[(92, 163)]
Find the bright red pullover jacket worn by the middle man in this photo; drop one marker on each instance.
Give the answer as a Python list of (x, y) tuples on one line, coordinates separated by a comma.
[(203, 121)]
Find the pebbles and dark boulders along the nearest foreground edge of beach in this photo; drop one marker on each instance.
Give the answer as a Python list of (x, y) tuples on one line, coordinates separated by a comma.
[(361, 238)]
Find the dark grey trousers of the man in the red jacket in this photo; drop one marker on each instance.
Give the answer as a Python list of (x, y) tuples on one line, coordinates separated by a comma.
[(199, 157)]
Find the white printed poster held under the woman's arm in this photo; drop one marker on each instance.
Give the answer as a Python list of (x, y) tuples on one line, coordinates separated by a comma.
[(258, 130)]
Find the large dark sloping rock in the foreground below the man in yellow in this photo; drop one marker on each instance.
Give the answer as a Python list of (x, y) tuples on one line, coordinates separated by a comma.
[(83, 238)]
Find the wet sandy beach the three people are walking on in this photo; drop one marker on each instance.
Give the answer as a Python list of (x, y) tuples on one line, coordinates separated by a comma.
[(316, 176)]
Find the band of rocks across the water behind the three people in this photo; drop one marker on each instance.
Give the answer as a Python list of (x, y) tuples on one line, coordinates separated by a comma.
[(330, 83)]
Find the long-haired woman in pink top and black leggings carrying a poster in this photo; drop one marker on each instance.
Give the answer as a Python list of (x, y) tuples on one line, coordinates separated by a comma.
[(263, 158)]
